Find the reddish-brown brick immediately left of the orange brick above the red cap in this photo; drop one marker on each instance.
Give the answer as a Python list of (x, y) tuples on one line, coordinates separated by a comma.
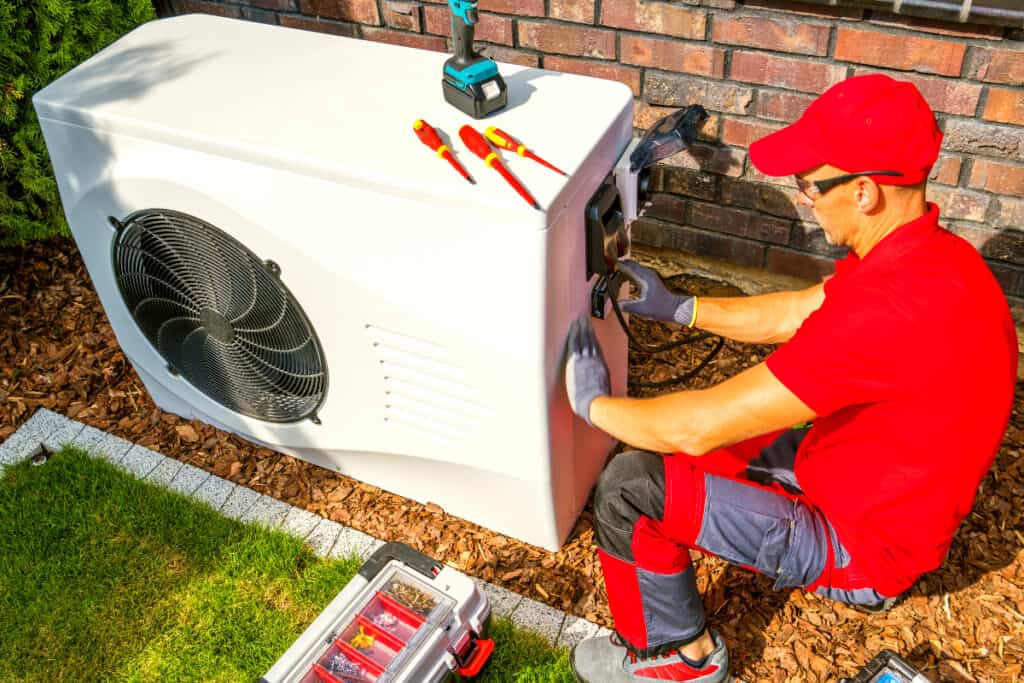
[(772, 34)]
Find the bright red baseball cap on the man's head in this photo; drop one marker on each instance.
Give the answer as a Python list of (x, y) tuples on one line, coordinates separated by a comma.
[(866, 123)]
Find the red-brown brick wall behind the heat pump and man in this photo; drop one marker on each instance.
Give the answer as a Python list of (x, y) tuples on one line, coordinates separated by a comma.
[(755, 65)]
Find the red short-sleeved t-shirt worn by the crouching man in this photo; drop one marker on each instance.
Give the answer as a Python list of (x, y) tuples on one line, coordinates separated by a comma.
[(911, 365)]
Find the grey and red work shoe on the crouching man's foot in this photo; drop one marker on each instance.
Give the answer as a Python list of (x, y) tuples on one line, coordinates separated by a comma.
[(608, 661)]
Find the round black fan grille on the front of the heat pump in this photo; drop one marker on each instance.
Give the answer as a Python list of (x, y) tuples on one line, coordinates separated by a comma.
[(220, 316)]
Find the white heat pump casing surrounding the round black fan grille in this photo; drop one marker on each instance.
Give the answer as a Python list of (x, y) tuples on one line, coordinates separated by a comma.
[(442, 308)]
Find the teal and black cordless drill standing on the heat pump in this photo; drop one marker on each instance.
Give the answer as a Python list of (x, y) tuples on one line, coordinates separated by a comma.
[(472, 82)]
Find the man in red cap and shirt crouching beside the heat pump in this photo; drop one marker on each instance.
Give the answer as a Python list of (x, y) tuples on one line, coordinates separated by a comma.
[(905, 360)]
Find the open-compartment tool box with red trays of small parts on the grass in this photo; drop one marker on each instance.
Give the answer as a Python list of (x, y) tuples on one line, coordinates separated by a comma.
[(404, 619)]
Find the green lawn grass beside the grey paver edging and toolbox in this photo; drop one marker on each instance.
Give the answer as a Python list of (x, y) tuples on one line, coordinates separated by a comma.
[(104, 578)]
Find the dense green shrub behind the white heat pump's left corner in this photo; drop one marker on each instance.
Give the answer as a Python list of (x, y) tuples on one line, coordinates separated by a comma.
[(39, 41)]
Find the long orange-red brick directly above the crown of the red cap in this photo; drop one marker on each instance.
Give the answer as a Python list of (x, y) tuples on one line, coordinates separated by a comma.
[(929, 56)]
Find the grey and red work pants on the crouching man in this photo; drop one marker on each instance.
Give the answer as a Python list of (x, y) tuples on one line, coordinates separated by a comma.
[(743, 504)]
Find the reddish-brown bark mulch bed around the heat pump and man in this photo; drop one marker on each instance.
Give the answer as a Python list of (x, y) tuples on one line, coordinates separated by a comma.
[(963, 623)]
